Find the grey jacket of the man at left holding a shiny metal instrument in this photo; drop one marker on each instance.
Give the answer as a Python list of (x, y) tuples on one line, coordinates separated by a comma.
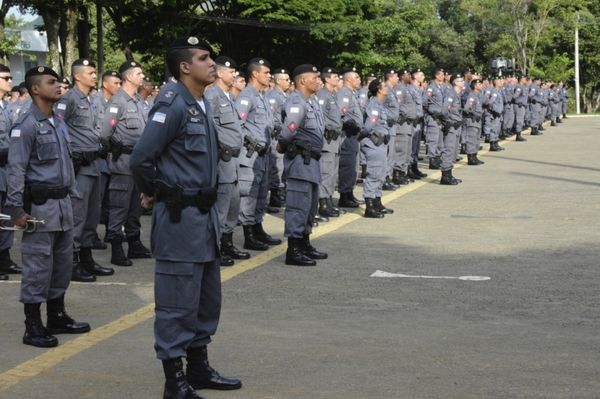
[(39, 154)]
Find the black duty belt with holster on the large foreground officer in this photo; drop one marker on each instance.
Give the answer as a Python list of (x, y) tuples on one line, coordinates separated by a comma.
[(175, 199)]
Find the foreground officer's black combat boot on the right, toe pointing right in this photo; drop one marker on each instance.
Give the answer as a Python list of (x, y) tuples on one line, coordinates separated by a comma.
[(201, 376)]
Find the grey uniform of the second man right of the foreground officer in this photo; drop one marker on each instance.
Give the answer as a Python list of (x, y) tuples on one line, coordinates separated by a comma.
[(257, 122)]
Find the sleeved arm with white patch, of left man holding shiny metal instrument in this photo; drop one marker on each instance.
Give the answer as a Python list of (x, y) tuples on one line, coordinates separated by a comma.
[(21, 145)]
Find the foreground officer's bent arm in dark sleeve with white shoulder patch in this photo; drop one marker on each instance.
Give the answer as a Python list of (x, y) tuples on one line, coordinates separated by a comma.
[(163, 127)]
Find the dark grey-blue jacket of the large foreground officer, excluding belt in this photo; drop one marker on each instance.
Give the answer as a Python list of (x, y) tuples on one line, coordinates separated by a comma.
[(179, 146)]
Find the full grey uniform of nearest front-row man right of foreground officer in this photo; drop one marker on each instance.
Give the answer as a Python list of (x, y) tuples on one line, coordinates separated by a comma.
[(303, 128)]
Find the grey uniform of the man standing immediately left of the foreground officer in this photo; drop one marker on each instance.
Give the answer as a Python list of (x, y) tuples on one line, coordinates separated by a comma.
[(122, 126)]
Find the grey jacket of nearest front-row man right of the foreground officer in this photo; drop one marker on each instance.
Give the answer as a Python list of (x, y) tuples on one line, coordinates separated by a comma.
[(303, 122)]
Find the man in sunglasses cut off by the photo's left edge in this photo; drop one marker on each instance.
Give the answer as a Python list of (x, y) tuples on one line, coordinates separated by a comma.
[(6, 237)]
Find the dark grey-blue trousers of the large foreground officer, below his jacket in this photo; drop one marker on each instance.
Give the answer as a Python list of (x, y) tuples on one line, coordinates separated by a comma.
[(187, 306)]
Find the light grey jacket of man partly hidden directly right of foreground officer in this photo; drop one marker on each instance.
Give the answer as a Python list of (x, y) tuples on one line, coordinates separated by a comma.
[(228, 127)]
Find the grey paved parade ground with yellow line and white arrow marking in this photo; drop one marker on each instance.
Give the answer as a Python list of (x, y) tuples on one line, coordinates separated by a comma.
[(366, 323)]
